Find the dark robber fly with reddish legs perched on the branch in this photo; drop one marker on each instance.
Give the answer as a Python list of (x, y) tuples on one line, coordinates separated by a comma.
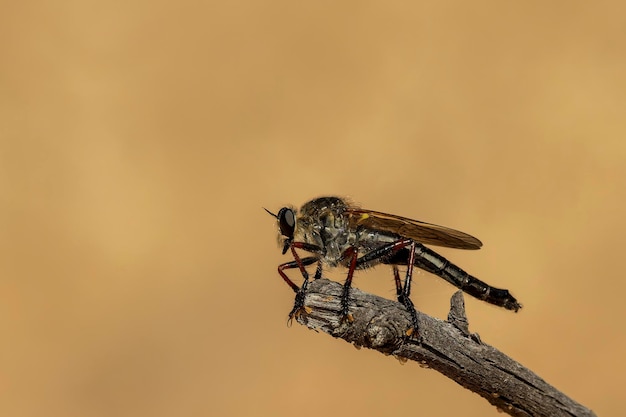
[(337, 233)]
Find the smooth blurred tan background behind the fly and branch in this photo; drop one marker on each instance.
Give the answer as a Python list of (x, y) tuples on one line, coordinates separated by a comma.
[(139, 141)]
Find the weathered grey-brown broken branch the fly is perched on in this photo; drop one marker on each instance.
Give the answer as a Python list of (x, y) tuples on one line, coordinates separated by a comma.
[(445, 346)]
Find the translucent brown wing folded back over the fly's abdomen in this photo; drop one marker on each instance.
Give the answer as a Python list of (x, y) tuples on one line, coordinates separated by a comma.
[(427, 233)]
